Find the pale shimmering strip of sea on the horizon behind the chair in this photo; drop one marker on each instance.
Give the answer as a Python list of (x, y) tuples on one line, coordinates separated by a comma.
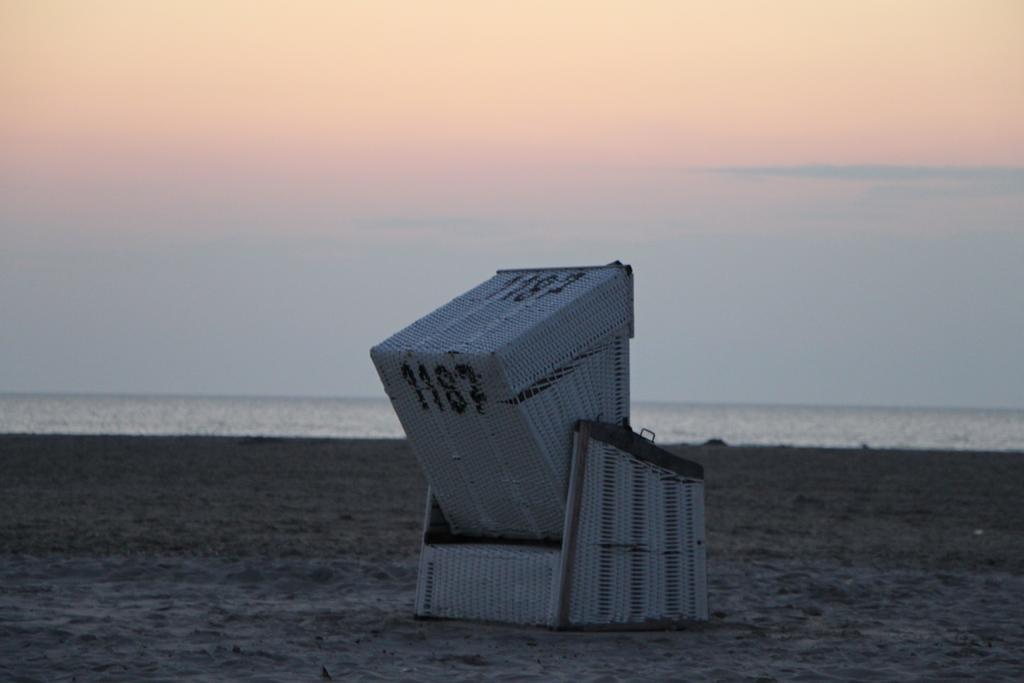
[(968, 430)]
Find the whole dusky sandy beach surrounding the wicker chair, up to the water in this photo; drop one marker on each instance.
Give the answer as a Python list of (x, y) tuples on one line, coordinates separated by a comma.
[(201, 559)]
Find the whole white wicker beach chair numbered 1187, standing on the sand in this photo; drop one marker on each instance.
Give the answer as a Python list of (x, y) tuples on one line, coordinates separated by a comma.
[(543, 506)]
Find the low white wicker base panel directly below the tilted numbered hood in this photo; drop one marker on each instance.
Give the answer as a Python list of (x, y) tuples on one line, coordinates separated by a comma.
[(491, 583)]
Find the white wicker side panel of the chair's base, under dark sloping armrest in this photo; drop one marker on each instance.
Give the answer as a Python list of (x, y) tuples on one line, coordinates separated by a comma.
[(641, 554)]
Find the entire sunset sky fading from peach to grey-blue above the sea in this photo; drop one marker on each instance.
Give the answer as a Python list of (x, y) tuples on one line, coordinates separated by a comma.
[(824, 202)]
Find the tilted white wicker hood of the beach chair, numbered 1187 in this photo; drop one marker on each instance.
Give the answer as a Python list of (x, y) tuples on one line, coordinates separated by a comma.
[(489, 387)]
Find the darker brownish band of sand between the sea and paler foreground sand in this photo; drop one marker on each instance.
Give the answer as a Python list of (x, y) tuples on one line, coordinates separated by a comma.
[(364, 499)]
